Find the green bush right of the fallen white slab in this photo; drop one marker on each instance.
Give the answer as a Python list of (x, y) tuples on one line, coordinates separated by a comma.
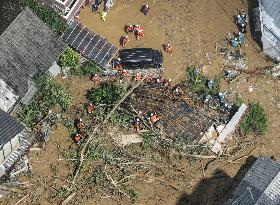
[(255, 121)]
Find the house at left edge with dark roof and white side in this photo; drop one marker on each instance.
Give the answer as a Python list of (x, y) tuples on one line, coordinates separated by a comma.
[(14, 141)]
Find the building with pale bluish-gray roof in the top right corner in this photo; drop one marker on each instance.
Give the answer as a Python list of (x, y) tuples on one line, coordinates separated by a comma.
[(266, 20)]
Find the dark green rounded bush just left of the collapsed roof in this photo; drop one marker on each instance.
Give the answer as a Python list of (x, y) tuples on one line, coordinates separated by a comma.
[(107, 93)]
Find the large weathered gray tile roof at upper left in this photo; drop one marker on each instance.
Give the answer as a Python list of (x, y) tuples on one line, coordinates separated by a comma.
[(28, 47)]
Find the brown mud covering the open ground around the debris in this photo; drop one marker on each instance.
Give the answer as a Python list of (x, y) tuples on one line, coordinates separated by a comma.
[(193, 27)]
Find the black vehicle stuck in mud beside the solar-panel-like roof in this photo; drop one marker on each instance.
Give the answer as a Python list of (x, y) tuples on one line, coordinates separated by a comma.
[(141, 58)]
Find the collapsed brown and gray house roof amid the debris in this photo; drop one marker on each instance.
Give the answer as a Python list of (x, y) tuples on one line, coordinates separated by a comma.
[(182, 119)]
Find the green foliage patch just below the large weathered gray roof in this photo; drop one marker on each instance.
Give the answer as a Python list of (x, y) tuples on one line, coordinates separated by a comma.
[(48, 95)]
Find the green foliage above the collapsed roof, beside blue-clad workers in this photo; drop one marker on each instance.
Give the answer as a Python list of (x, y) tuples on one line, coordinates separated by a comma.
[(198, 83)]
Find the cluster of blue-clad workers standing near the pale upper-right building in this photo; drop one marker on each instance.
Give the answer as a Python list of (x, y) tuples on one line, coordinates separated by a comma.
[(241, 21)]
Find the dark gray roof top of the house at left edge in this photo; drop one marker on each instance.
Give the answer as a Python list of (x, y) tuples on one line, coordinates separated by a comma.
[(9, 127)]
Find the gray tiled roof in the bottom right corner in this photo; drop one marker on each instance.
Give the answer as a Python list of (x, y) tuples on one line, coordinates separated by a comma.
[(260, 186)]
